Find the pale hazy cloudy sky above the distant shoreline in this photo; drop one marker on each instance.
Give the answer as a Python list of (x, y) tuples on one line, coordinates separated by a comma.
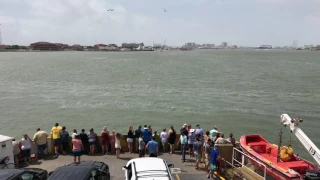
[(87, 22)]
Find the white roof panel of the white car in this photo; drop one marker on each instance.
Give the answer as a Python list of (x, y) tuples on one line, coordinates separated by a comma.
[(149, 164)]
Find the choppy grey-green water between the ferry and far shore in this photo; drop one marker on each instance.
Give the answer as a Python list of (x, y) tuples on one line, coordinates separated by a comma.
[(239, 91)]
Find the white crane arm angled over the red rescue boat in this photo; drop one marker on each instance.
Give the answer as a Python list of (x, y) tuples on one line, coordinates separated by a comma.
[(303, 138)]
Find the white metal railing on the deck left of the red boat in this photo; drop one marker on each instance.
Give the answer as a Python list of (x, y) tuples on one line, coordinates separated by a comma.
[(235, 150)]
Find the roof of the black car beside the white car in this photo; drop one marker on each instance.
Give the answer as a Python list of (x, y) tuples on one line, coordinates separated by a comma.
[(72, 173)]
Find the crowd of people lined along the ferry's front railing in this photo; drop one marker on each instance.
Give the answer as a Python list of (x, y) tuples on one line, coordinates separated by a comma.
[(146, 141)]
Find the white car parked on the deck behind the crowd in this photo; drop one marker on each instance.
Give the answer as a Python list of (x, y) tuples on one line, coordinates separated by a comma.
[(149, 168)]
